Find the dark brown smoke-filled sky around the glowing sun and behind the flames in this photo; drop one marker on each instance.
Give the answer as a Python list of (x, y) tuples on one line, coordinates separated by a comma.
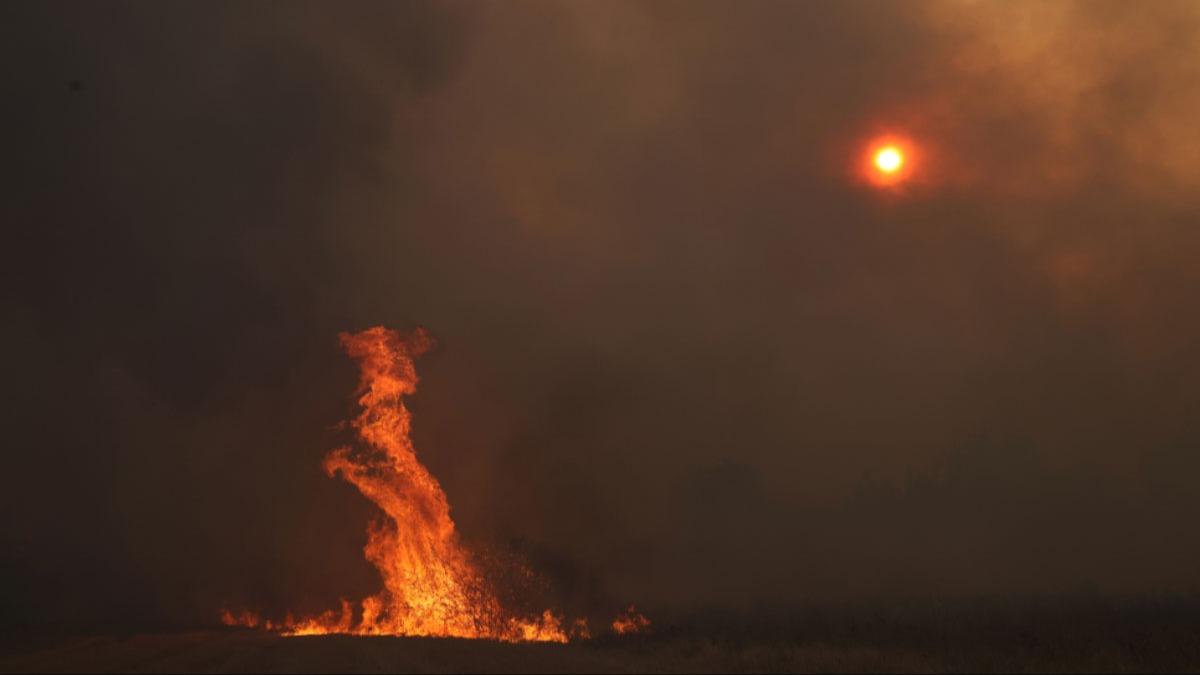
[(686, 356)]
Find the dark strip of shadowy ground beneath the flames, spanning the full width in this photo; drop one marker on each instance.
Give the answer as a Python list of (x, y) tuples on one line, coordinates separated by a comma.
[(1148, 637)]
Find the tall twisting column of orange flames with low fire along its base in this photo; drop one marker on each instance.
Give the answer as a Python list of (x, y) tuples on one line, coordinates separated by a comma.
[(433, 584)]
